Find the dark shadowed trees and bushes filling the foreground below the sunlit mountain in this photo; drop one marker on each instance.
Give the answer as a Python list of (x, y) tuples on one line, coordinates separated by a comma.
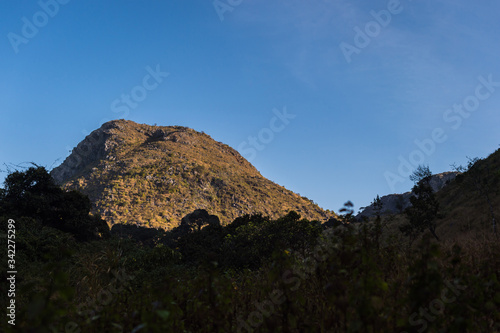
[(254, 274)]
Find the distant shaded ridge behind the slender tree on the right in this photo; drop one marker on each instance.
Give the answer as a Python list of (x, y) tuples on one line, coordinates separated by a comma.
[(397, 203)]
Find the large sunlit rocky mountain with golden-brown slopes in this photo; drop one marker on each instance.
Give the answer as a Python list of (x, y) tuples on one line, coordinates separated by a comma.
[(154, 175)]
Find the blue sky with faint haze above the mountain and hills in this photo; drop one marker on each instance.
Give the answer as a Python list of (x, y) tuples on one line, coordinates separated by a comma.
[(360, 81)]
